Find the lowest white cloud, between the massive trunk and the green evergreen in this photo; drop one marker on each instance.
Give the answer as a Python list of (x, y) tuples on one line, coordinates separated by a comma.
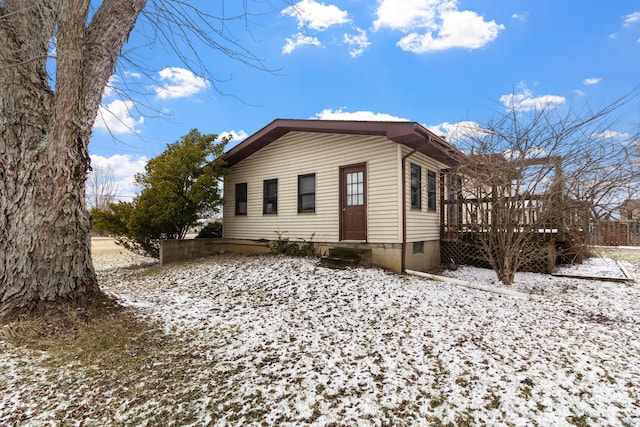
[(124, 168)]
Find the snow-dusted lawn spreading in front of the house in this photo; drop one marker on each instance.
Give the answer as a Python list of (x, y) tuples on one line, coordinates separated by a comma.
[(281, 341)]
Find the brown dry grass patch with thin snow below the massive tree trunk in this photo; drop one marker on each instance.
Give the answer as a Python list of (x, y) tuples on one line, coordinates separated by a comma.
[(99, 363)]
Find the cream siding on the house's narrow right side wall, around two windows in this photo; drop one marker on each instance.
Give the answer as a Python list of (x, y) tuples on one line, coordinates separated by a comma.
[(422, 224)]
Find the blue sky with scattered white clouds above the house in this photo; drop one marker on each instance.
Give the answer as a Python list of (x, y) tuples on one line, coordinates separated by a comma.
[(437, 62)]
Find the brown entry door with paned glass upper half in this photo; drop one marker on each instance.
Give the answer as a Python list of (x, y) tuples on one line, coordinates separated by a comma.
[(353, 202)]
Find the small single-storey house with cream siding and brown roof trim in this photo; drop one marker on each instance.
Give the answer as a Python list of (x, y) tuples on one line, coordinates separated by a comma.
[(370, 185)]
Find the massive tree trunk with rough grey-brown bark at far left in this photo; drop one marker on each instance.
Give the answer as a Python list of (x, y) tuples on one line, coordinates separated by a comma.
[(45, 256)]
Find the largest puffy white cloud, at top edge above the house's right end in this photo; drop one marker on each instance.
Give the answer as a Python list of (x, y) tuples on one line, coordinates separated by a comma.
[(434, 25)]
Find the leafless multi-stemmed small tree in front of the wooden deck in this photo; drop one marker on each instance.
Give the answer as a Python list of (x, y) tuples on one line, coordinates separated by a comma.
[(536, 177)]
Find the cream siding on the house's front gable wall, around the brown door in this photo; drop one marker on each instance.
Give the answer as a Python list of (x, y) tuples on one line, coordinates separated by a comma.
[(300, 153)]
